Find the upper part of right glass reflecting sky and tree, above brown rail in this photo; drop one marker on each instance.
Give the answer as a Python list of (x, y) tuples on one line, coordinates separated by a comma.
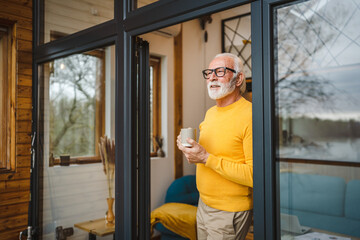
[(317, 88)]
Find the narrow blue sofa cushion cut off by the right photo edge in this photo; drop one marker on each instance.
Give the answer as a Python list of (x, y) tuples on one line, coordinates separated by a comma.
[(352, 200)]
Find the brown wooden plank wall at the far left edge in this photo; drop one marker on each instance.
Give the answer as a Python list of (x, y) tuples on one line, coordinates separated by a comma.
[(14, 188)]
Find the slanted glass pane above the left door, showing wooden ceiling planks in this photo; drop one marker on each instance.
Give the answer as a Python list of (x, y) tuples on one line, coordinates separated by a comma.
[(65, 17)]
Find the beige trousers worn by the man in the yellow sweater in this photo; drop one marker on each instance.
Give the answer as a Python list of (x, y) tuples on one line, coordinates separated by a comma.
[(214, 224)]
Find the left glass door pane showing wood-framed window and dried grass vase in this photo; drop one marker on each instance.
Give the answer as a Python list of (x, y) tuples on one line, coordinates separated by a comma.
[(77, 150)]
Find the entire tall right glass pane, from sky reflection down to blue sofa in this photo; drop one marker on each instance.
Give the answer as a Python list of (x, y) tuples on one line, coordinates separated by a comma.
[(317, 64)]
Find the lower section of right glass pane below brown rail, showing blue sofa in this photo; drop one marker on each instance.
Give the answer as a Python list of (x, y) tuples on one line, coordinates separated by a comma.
[(319, 201)]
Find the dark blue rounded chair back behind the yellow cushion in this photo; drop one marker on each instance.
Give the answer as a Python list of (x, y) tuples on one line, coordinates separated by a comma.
[(183, 190)]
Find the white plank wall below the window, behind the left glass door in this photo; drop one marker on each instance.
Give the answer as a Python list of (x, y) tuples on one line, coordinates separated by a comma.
[(73, 194)]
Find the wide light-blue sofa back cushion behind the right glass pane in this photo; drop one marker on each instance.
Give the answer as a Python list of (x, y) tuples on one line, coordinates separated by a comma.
[(312, 193)]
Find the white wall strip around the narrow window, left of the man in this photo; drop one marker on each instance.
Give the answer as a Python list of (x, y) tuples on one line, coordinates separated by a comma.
[(162, 169)]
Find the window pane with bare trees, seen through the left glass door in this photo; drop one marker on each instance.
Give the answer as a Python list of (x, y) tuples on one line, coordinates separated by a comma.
[(74, 84)]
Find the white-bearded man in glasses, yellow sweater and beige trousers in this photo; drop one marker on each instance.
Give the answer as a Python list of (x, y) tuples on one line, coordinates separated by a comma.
[(223, 156)]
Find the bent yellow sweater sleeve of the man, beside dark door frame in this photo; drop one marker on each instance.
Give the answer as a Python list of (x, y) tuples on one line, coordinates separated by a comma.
[(238, 172)]
